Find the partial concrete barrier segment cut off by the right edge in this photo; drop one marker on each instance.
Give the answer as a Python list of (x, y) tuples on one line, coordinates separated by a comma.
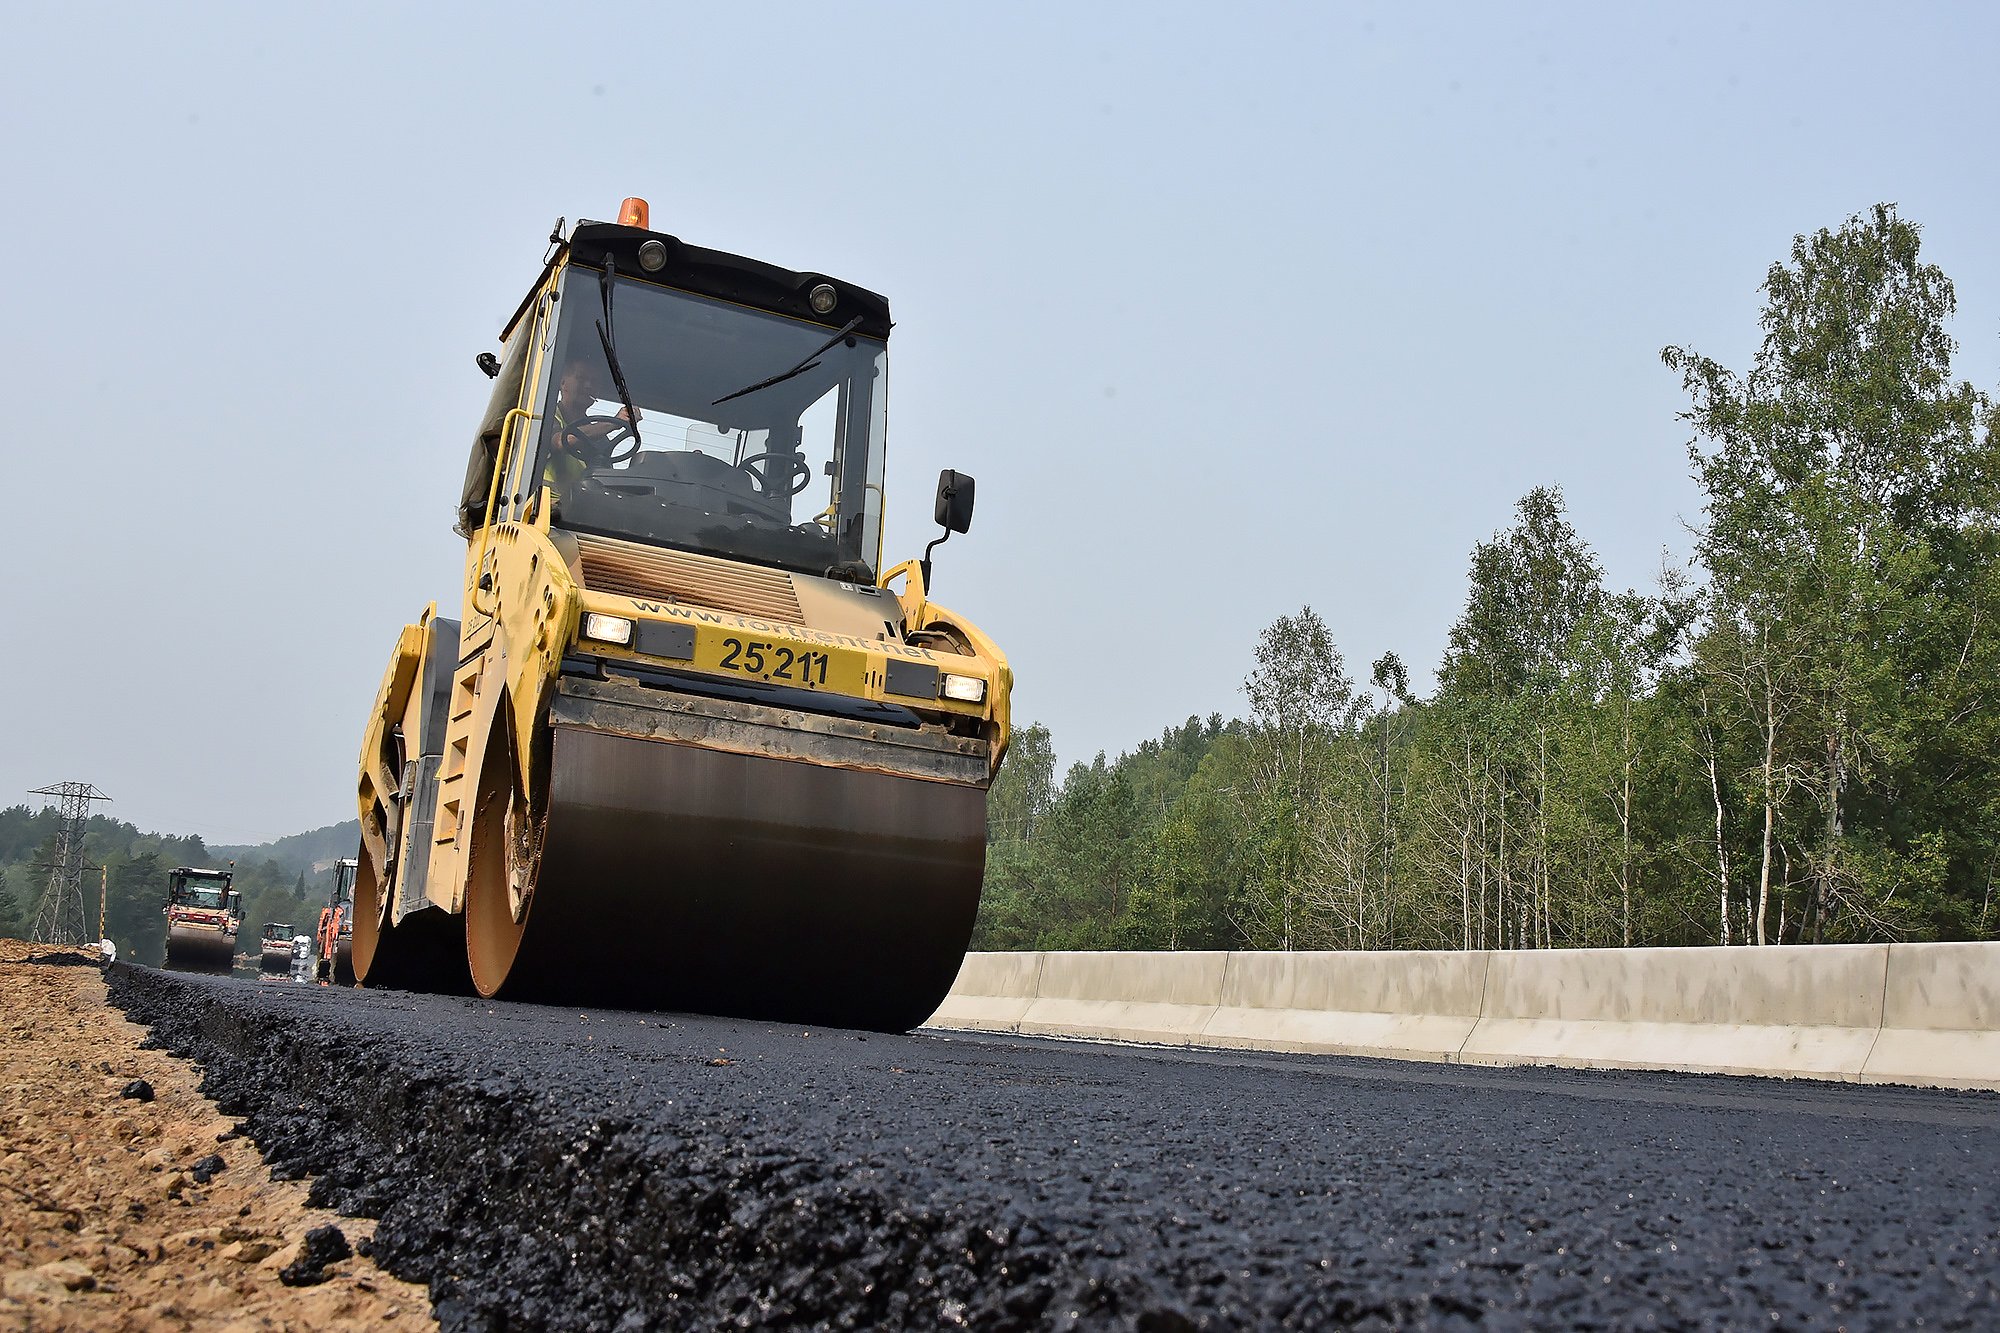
[(1941, 1018)]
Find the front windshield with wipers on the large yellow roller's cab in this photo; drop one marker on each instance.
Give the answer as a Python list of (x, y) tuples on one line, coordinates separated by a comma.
[(785, 475)]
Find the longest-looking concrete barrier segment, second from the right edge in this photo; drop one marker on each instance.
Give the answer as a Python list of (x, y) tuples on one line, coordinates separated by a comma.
[(1787, 1012)]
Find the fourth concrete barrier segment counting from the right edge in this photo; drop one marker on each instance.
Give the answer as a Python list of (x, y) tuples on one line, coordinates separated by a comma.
[(1159, 998)]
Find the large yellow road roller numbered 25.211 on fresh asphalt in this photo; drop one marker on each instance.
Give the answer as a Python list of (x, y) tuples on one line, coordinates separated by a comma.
[(689, 742)]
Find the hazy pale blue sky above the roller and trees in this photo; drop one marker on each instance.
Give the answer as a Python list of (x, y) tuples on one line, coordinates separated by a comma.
[(1231, 309)]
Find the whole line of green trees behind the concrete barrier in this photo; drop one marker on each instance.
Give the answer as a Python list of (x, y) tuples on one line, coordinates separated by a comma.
[(1795, 740)]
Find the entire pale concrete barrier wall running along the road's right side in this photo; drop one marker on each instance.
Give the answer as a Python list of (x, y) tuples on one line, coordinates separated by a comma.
[(1879, 1014)]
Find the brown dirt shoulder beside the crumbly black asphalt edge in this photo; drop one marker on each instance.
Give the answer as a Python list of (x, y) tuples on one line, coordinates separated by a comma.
[(131, 1214)]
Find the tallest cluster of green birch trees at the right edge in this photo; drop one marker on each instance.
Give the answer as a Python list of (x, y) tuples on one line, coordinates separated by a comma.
[(1851, 547)]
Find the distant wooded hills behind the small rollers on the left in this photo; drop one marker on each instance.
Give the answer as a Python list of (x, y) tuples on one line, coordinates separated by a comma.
[(281, 882)]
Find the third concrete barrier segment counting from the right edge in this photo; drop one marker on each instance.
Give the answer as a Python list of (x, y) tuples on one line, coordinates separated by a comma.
[(1401, 1006)]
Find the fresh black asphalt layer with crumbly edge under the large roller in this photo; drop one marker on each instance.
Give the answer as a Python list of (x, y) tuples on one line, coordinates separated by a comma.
[(561, 1170)]
